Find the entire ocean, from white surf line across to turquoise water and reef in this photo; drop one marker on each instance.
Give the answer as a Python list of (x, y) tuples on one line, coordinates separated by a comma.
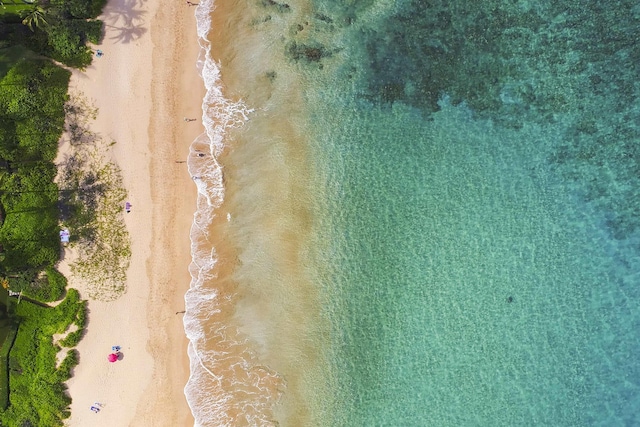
[(430, 212)]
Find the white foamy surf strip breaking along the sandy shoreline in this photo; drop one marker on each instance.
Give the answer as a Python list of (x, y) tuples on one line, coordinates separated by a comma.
[(224, 387)]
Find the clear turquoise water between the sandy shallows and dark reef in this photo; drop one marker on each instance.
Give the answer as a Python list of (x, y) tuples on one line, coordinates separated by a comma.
[(473, 288)]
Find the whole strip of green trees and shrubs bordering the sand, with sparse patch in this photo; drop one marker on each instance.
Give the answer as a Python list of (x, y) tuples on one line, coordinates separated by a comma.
[(33, 107)]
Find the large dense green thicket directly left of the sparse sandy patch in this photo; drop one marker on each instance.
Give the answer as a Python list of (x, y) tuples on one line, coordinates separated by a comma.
[(32, 96)]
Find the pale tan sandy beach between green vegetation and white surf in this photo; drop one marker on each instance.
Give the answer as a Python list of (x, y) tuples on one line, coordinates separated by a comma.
[(143, 86)]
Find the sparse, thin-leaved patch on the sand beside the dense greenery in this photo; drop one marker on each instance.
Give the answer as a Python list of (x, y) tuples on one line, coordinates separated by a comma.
[(93, 198)]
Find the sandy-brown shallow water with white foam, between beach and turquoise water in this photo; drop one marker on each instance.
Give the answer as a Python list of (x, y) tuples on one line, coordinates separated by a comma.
[(252, 312)]
